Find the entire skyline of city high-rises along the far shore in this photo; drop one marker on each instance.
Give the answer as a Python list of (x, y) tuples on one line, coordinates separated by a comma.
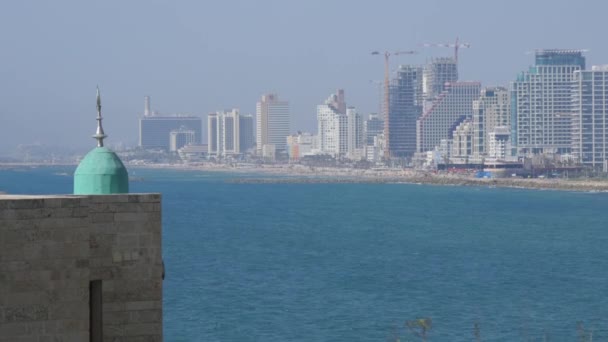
[(557, 107)]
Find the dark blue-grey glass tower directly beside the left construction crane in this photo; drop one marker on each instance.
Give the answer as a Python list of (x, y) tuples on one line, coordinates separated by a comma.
[(405, 108)]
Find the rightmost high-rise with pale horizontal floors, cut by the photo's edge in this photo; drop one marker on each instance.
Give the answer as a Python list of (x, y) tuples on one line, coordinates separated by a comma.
[(590, 117)]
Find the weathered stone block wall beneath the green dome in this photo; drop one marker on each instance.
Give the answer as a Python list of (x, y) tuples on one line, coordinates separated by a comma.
[(52, 247)]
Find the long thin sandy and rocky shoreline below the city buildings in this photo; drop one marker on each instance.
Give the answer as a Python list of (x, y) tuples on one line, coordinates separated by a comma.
[(309, 175)]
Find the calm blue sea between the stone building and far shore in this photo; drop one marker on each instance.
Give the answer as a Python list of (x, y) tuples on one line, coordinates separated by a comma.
[(353, 262)]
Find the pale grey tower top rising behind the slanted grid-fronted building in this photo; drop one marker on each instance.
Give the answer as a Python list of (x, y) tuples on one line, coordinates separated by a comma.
[(438, 73)]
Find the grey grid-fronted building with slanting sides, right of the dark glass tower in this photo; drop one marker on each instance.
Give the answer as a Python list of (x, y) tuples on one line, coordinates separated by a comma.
[(450, 108)]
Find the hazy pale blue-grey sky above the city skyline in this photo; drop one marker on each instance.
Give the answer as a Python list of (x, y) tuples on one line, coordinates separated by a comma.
[(201, 56)]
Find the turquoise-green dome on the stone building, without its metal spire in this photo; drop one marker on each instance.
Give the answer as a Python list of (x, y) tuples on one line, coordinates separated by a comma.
[(101, 172)]
